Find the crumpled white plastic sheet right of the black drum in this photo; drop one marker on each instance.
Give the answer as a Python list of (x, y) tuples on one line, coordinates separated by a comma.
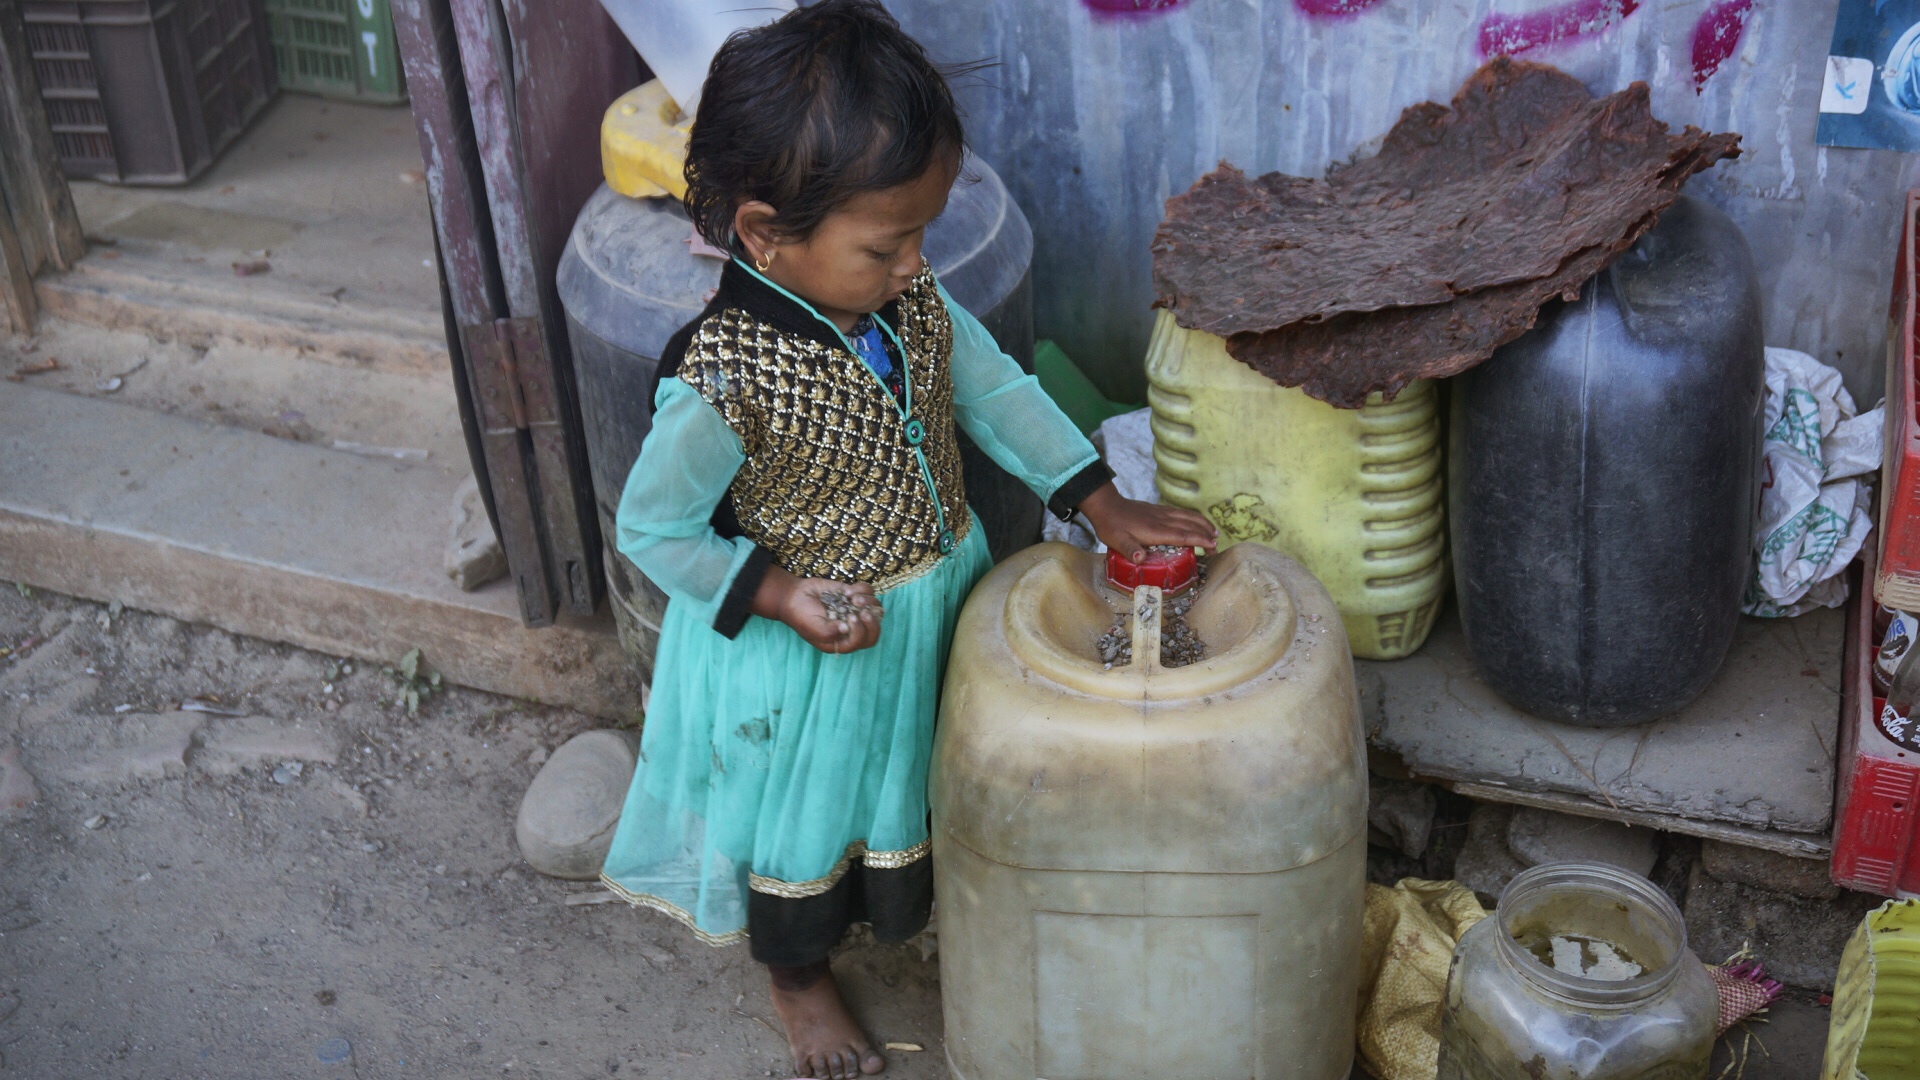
[(1815, 489)]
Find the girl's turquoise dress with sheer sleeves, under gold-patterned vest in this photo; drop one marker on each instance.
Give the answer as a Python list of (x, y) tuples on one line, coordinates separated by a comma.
[(773, 772)]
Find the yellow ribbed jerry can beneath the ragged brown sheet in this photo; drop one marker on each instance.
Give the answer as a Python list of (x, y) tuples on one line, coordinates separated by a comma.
[(1355, 495)]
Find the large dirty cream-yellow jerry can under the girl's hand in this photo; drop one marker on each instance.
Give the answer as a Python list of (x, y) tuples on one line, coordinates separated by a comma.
[(1149, 871)]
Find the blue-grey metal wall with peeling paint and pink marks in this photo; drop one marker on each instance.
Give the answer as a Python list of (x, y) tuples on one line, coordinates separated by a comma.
[(1103, 109)]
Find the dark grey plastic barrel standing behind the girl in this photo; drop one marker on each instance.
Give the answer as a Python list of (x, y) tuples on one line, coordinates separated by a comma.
[(629, 282)]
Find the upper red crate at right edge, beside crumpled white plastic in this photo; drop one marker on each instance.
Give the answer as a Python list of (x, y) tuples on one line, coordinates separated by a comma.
[(1898, 583)]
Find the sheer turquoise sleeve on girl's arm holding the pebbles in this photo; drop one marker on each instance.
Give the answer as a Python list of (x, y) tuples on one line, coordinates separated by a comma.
[(665, 518)]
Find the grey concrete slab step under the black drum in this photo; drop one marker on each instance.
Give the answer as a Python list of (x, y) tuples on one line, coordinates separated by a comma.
[(1750, 762)]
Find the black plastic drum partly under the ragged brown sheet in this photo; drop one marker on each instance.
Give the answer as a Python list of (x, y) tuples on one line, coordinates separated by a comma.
[(1604, 481)]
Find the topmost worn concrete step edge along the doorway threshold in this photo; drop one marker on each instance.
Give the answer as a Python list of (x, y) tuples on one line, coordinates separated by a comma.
[(168, 297)]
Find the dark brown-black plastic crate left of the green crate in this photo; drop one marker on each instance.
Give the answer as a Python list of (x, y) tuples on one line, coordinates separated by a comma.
[(149, 91)]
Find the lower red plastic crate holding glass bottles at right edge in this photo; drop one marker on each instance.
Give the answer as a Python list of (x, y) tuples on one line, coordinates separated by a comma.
[(1877, 804)]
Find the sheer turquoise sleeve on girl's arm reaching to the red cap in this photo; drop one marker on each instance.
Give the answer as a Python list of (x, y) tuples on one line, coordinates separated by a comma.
[(1017, 424)]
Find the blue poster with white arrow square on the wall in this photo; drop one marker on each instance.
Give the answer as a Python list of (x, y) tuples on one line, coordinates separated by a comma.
[(1873, 78)]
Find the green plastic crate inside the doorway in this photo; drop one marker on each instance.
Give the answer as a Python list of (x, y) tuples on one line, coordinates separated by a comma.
[(341, 49)]
